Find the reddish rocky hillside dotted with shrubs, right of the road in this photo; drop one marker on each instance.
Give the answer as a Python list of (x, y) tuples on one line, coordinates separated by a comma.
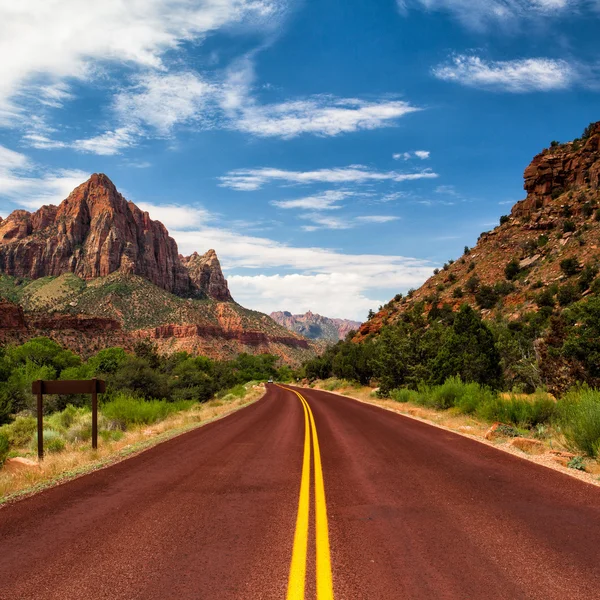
[(545, 253)]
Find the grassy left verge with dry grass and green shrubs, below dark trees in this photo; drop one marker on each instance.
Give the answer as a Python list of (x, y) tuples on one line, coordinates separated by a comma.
[(127, 426)]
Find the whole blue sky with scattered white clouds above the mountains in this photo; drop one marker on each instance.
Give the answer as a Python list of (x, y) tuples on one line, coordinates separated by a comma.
[(332, 153)]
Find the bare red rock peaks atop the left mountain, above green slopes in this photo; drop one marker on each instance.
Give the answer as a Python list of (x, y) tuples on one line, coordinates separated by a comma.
[(95, 232)]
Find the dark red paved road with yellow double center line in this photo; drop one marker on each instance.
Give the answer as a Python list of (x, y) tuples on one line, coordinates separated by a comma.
[(256, 506)]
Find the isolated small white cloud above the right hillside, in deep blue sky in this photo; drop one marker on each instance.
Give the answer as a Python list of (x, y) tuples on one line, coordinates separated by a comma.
[(525, 75)]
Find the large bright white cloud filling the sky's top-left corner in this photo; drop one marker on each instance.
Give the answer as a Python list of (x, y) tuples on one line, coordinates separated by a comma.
[(44, 43)]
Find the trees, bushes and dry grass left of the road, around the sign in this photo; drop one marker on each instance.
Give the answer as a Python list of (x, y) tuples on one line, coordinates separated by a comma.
[(147, 394)]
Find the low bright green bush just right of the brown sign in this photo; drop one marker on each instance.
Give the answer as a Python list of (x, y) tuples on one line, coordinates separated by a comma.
[(124, 410)]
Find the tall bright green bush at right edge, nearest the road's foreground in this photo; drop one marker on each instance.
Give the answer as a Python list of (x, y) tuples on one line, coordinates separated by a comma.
[(580, 419)]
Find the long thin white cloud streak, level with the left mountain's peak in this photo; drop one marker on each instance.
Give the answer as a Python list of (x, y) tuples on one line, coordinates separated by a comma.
[(254, 179)]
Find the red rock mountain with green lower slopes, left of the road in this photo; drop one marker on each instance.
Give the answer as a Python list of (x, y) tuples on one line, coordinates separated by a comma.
[(96, 272)]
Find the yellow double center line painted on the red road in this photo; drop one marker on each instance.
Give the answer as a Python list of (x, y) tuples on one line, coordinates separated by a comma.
[(297, 578)]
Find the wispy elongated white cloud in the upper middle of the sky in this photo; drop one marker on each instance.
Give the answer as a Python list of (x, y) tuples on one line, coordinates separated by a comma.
[(320, 115)]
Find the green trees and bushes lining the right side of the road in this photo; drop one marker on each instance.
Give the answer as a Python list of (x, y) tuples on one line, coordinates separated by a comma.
[(454, 361)]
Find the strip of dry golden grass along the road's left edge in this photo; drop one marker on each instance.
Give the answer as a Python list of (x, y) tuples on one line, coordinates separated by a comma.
[(79, 458)]
